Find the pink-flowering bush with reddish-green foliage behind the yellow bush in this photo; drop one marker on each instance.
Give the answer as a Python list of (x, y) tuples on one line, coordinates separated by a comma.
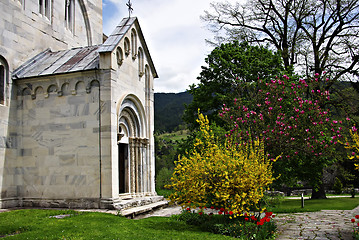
[(294, 120)]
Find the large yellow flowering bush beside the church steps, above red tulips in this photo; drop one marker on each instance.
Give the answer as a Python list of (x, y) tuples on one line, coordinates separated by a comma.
[(226, 177)]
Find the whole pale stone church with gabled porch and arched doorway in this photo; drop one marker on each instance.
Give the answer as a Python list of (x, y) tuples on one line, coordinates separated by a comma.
[(76, 107)]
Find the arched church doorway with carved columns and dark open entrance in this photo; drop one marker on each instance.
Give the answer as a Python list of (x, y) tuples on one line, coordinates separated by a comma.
[(133, 144)]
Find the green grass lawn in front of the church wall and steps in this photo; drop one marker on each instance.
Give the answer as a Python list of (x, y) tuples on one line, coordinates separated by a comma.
[(37, 224)]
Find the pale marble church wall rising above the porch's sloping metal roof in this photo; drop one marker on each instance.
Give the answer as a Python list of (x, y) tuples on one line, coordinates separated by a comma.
[(24, 32)]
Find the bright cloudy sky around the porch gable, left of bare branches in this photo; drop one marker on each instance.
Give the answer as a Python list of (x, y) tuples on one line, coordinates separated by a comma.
[(174, 33)]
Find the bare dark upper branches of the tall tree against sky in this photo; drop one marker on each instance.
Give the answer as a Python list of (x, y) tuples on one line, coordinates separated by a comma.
[(315, 35)]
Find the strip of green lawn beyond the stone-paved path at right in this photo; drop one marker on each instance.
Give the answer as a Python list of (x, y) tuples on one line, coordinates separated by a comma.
[(294, 205)]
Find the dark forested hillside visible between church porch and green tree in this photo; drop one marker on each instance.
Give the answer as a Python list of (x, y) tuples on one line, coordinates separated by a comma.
[(169, 109)]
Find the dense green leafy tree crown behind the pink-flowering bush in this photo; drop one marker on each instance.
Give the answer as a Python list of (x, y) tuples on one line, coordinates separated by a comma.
[(228, 66)]
